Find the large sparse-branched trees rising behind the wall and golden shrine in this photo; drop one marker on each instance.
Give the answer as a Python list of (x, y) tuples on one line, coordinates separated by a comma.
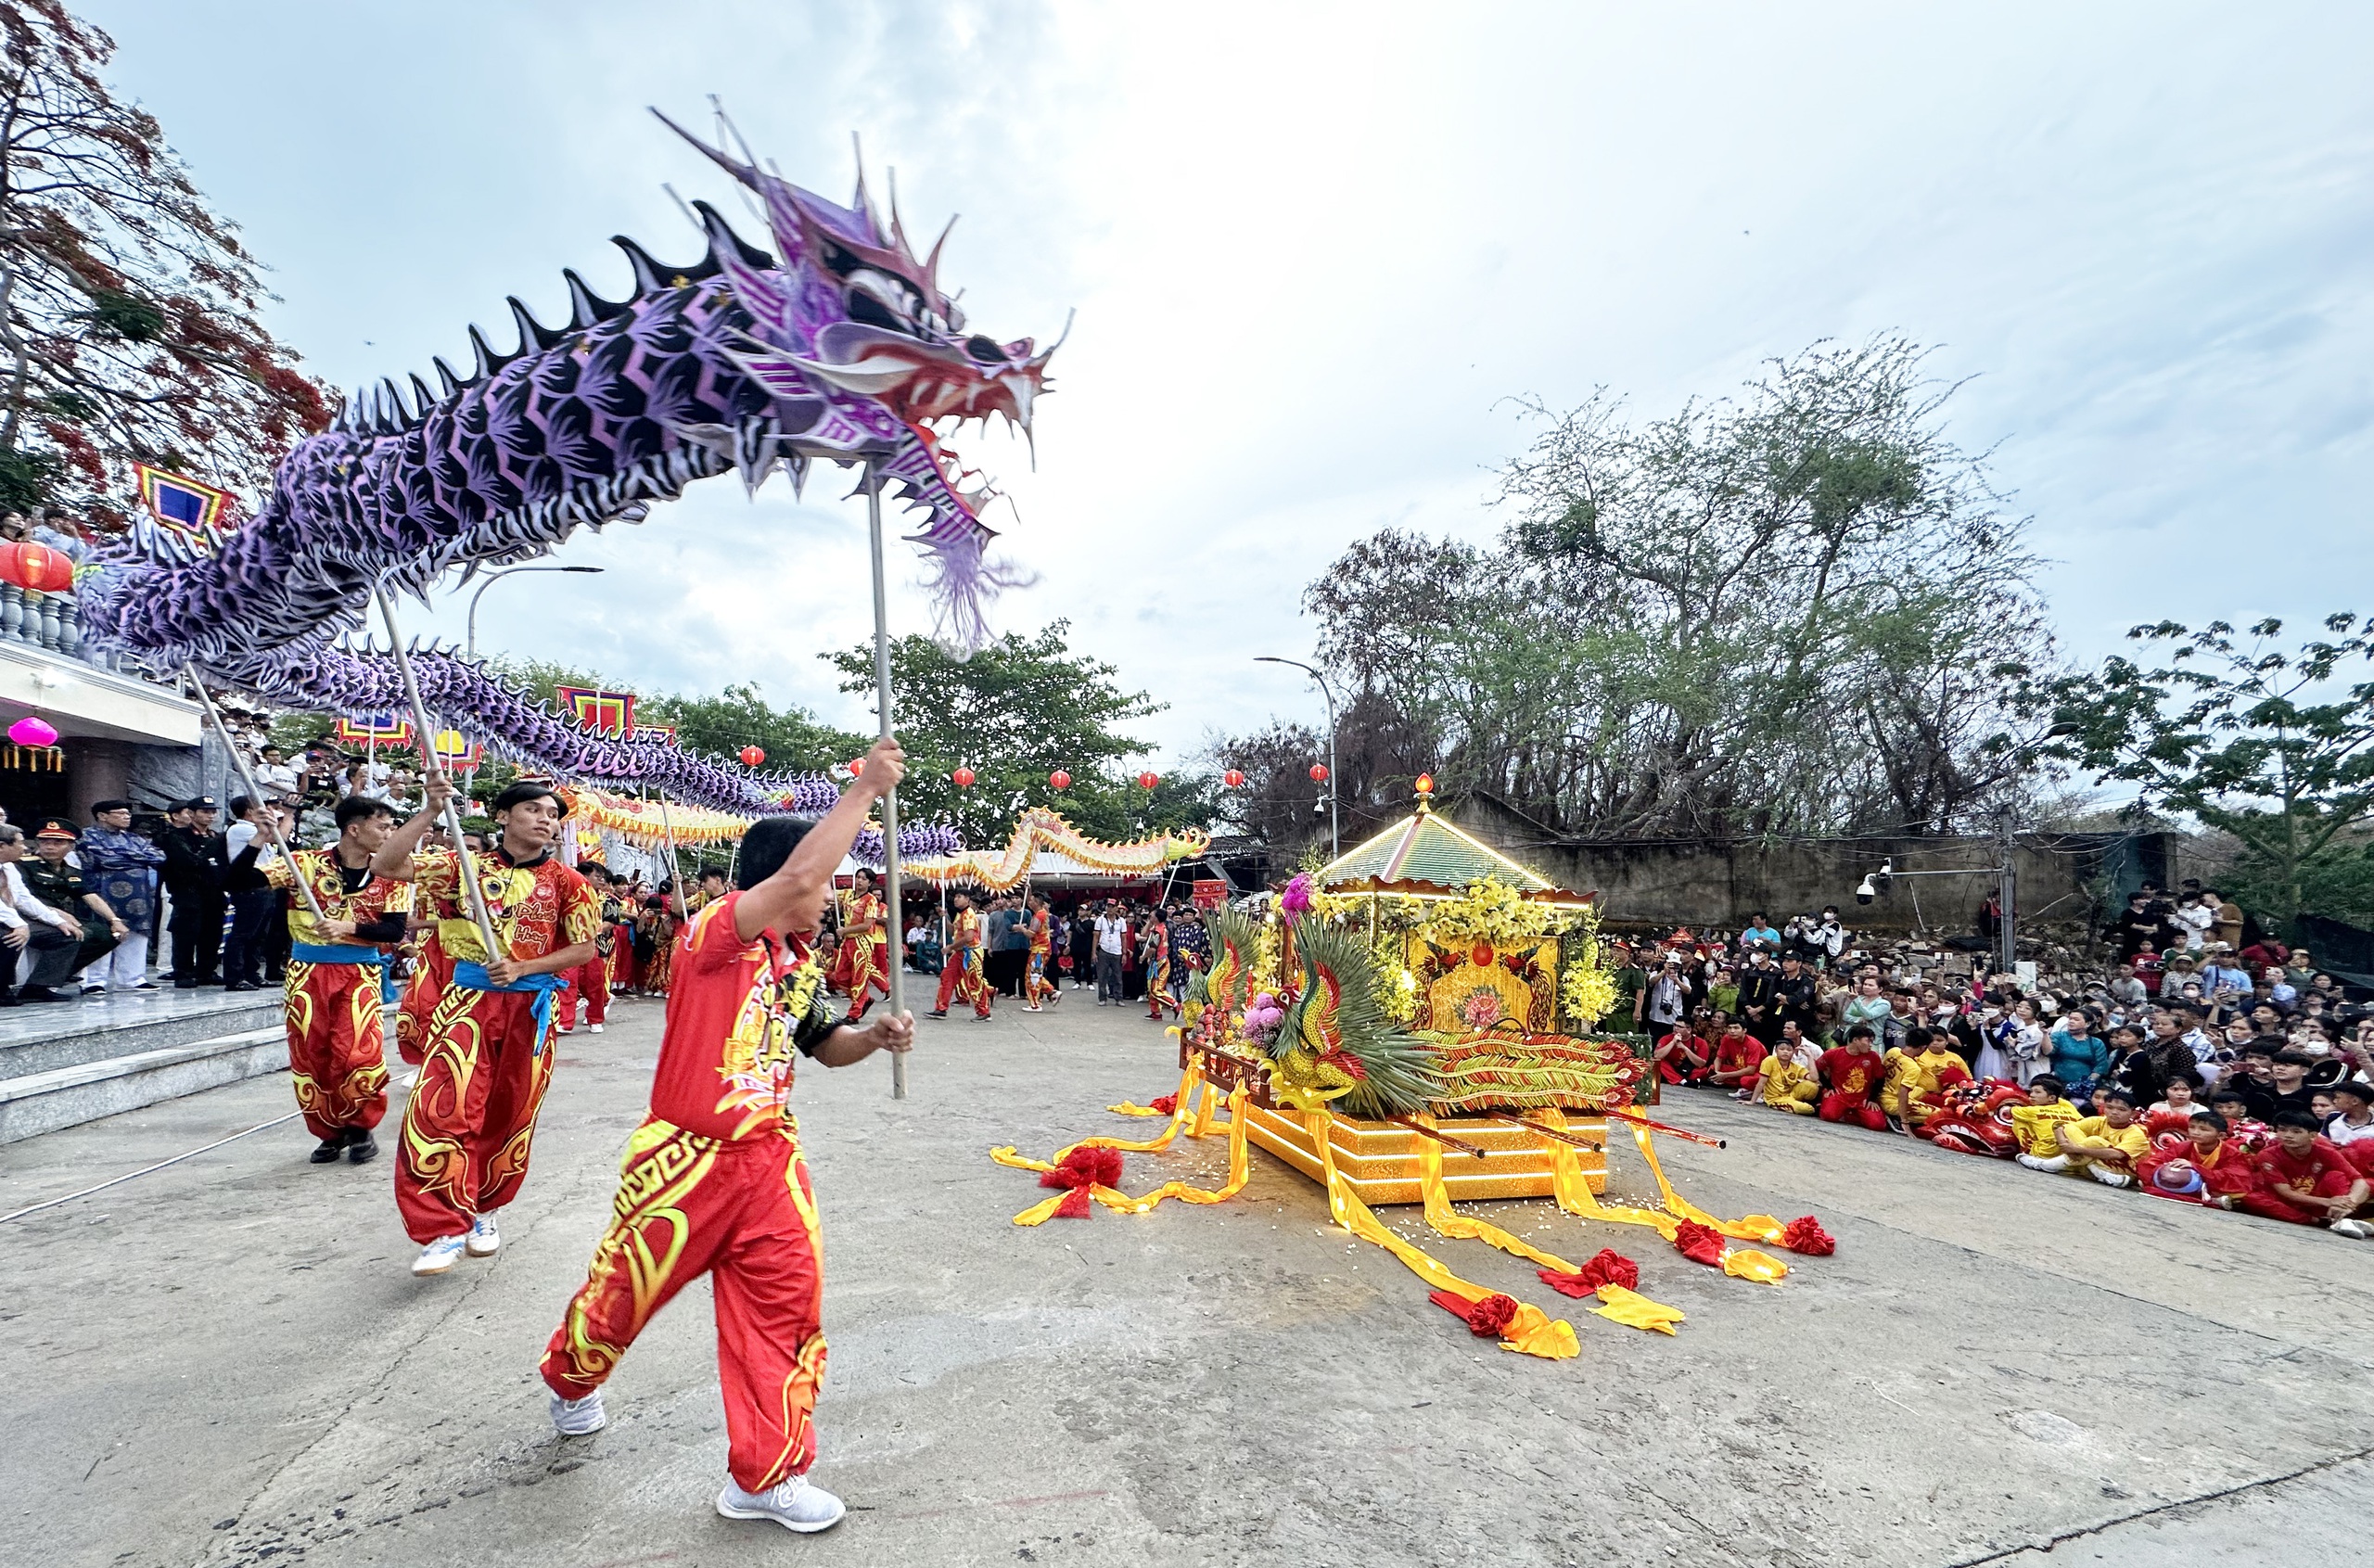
[(1791, 611)]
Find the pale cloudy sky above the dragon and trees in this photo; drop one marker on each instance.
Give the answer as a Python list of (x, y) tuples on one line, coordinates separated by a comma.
[(1316, 248)]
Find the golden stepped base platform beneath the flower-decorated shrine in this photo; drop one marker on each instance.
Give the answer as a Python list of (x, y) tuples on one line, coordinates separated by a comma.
[(1380, 1159)]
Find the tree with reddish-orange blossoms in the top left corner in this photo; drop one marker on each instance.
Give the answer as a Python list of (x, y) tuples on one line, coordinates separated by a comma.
[(129, 310)]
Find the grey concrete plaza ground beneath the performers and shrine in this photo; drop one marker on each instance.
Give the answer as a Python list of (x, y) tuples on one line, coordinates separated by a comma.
[(227, 1363)]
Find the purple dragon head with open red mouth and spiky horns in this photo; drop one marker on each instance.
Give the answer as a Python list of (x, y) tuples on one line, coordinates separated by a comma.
[(865, 357)]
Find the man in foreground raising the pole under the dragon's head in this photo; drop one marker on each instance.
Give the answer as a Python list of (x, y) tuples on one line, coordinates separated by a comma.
[(713, 1183)]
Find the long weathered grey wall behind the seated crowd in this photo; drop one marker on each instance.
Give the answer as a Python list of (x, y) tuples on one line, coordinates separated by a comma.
[(1703, 884)]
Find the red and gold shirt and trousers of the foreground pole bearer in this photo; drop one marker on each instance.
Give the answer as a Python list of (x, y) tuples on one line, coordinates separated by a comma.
[(713, 1185)]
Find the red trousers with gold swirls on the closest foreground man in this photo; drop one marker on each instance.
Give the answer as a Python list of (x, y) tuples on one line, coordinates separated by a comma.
[(744, 1216)]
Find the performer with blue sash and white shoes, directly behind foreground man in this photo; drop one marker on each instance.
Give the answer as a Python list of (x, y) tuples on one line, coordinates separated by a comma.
[(488, 1064)]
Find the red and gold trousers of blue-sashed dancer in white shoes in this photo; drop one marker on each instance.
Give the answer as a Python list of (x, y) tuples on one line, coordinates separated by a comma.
[(474, 1111)]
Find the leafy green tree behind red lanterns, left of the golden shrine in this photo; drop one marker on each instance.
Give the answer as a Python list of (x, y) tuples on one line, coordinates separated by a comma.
[(1017, 713)]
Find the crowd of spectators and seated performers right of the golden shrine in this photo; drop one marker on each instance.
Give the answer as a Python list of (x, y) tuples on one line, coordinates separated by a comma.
[(2190, 1064)]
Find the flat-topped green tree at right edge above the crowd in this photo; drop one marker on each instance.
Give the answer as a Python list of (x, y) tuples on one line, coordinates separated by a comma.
[(2273, 746)]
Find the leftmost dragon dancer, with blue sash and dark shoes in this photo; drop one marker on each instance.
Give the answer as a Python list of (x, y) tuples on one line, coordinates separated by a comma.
[(338, 1047)]
